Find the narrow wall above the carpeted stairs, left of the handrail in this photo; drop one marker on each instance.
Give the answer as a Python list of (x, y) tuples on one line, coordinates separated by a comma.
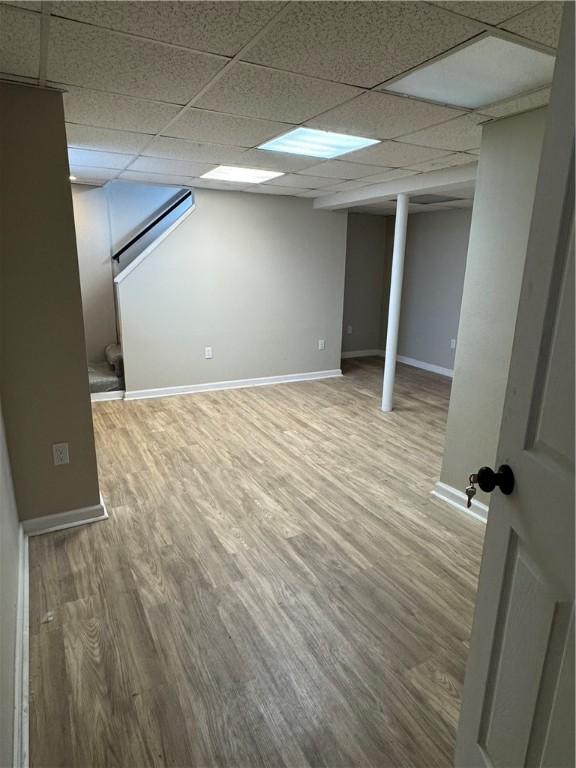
[(95, 263)]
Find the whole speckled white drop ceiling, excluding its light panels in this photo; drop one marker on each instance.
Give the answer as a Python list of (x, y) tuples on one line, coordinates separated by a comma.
[(162, 92)]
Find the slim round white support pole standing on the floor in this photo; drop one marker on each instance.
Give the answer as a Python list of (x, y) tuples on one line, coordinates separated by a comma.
[(395, 300)]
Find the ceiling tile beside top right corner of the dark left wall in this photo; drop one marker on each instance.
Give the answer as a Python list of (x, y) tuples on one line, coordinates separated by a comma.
[(107, 110)]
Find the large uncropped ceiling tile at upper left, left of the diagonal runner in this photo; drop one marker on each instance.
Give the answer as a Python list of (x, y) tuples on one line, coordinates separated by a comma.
[(96, 58)]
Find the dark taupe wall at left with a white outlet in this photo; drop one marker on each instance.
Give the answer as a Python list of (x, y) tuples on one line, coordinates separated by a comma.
[(44, 380)]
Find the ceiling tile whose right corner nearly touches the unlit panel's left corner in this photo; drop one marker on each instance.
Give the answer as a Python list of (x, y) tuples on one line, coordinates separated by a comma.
[(273, 95)]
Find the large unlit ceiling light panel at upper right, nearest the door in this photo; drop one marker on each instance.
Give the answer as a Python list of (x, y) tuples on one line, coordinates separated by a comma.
[(481, 73)]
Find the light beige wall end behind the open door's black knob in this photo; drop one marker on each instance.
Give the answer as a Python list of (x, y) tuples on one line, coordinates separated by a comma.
[(505, 187)]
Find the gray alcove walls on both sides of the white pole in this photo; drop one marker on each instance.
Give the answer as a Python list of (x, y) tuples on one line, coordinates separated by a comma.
[(434, 268)]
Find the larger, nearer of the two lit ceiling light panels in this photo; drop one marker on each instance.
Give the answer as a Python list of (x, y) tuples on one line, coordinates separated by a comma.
[(309, 141)]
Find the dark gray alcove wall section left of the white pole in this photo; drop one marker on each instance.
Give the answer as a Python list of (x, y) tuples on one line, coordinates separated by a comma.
[(367, 264)]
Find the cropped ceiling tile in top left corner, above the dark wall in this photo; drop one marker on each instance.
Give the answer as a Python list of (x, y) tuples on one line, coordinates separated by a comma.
[(19, 42)]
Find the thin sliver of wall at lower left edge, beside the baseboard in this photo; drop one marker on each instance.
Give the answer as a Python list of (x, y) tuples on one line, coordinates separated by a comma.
[(9, 573)]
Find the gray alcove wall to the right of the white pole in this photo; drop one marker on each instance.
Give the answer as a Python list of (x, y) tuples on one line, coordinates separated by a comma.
[(435, 262)]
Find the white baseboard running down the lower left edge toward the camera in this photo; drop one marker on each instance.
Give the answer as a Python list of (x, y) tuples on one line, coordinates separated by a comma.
[(21, 660)]
